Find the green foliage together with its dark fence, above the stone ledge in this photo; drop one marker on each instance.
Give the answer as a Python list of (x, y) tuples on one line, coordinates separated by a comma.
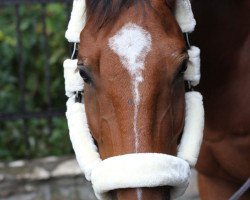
[(32, 104)]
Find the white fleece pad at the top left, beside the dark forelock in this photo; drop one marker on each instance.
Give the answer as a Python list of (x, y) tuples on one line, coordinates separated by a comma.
[(77, 21)]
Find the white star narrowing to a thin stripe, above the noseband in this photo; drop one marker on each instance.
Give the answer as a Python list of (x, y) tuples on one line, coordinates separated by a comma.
[(132, 44)]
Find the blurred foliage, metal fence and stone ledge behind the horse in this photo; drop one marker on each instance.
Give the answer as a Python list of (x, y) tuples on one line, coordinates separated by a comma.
[(36, 157)]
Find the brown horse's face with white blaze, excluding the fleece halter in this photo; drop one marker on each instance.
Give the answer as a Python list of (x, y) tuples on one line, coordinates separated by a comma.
[(133, 108)]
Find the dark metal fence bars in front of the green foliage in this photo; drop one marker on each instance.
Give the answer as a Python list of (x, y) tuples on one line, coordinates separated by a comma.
[(23, 114)]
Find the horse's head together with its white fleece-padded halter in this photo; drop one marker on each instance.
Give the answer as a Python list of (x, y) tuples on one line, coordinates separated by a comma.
[(132, 57)]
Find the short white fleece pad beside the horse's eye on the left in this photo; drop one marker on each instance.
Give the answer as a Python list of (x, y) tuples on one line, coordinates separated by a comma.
[(73, 81)]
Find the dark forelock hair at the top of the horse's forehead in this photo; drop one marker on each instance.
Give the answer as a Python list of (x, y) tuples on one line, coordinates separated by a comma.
[(106, 11)]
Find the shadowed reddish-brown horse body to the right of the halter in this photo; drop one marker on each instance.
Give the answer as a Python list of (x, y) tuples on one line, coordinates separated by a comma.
[(223, 34)]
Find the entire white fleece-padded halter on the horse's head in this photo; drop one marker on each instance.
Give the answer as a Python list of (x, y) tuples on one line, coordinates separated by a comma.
[(148, 169)]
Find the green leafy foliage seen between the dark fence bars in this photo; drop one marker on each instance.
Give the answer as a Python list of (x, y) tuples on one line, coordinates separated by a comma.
[(12, 143)]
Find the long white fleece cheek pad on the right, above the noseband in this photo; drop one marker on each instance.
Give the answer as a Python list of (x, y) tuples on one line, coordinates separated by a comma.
[(189, 147)]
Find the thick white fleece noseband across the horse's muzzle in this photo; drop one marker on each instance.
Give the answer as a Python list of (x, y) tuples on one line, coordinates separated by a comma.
[(140, 170)]
